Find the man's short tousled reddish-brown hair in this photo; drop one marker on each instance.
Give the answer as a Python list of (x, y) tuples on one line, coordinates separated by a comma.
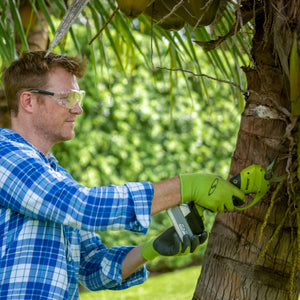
[(31, 71)]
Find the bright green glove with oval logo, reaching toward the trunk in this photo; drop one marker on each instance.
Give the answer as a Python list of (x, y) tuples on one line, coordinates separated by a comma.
[(211, 192)]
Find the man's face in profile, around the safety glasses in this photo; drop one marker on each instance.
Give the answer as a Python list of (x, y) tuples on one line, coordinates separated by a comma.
[(53, 122)]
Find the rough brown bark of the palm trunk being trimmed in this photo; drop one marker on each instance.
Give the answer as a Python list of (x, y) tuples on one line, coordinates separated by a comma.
[(230, 270)]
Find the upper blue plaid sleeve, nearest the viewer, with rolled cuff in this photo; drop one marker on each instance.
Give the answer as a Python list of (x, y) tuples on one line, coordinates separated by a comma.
[(30, 186)]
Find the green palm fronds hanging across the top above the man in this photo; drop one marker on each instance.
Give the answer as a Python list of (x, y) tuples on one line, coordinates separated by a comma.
[(121, 32)]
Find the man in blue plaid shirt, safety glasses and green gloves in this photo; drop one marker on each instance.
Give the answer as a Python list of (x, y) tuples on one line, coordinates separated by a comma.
[(47, 220)]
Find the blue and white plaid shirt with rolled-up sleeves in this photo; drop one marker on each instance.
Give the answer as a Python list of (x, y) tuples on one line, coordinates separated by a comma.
[(47, 225)]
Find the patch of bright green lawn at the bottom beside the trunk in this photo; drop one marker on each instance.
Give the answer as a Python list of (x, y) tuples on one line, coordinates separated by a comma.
[(177, 285)]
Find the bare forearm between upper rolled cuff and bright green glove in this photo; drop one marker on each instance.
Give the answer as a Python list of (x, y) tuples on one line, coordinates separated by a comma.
[(167, 193)]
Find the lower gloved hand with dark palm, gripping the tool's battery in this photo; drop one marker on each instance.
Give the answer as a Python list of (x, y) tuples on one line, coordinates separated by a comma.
[(169, 244)]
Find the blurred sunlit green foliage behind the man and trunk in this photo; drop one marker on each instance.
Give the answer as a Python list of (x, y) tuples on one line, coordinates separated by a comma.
[(130, 132)]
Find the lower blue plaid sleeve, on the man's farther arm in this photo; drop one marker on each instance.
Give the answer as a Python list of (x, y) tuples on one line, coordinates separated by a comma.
[(100, 267)]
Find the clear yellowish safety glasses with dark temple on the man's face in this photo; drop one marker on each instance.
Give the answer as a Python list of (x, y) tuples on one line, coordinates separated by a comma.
[(65, 98)]
